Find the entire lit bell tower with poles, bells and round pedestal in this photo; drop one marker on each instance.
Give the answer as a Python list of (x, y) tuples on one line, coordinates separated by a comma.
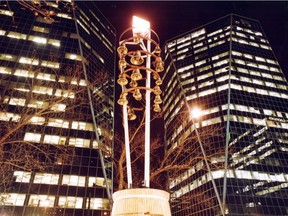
[(139, 60)]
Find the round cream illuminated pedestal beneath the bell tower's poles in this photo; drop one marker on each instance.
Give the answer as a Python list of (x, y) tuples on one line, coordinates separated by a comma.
[(141, 201)]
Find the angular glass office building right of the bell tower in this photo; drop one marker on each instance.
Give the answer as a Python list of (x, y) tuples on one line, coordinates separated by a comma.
[(228, 70)]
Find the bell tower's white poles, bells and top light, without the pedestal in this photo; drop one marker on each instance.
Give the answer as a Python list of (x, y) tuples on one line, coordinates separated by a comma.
[(136, 54)]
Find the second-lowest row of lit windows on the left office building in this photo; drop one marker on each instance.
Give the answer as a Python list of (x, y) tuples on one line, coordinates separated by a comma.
[(54, 179)]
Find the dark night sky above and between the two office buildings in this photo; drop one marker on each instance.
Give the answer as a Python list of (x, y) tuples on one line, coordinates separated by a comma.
[(172, 18)]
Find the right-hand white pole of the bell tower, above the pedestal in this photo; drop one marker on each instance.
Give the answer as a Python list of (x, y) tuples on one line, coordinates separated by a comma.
[(147, 117)]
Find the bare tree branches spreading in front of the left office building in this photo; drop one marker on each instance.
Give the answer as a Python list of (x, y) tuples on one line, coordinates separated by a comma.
[(26, 107)]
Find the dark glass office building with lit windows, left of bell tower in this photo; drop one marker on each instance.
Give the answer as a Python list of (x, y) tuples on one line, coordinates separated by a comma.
[(56, 95)]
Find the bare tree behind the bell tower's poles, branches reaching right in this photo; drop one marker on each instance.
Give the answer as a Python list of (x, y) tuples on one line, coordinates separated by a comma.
[(177, 159)]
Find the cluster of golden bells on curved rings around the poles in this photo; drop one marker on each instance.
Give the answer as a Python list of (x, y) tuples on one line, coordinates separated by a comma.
[(133, 69)]
